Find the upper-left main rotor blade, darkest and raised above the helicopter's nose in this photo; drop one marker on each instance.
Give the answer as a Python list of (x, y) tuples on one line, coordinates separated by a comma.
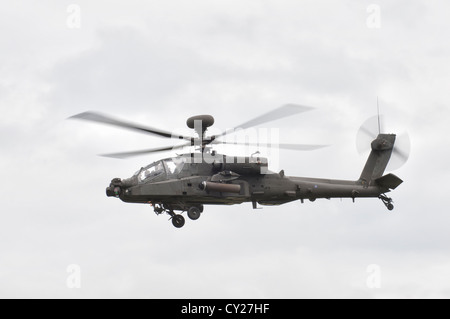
[(104, 119)]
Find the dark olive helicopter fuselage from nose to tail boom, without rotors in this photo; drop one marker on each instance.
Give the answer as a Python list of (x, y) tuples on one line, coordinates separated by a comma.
[(183, 182)]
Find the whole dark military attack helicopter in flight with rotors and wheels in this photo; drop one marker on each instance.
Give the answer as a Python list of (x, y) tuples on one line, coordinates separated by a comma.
[(187, 182)]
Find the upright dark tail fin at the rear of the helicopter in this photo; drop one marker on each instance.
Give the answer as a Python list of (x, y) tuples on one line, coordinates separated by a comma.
[(382, 148)]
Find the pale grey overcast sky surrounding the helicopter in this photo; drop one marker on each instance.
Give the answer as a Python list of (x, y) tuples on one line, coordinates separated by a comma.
[(159, 62)]
